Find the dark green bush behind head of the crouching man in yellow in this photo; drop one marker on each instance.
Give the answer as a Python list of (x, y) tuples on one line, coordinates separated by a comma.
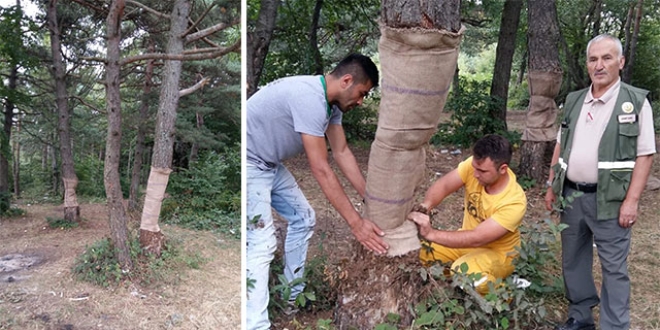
[(472, 117)]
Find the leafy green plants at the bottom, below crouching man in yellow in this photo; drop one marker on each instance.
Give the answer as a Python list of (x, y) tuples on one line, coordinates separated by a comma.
[(505, 306)]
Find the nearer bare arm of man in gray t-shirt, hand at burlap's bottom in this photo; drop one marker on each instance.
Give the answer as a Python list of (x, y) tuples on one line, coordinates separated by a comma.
[(364, 230)]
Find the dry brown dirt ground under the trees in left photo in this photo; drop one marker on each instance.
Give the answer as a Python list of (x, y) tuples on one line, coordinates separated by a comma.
[(43, 293)]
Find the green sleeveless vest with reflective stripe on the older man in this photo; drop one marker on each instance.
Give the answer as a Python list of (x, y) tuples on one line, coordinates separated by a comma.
[(617, 149)]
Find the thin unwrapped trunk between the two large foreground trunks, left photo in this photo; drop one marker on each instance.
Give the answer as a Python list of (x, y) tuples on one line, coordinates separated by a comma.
[(143, 119)]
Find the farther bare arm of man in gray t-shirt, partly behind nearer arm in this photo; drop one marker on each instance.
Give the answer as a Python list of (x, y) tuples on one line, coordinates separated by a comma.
[(344, 158)]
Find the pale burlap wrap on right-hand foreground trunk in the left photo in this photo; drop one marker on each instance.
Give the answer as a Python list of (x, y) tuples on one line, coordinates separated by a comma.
[(158, 178)]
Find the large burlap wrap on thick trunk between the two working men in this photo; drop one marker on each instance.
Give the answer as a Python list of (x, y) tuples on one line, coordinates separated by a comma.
[(413, 96)]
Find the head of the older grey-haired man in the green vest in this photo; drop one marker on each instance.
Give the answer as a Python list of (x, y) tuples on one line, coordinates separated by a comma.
[(604, 63)]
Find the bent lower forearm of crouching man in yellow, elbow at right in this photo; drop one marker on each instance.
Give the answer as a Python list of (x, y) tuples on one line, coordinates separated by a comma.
[(486, 232)]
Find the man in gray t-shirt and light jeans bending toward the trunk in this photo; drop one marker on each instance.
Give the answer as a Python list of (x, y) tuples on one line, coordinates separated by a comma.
[(285, 118)]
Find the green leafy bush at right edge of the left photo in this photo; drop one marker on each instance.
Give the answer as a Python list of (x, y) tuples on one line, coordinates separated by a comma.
[(207, 195)]
